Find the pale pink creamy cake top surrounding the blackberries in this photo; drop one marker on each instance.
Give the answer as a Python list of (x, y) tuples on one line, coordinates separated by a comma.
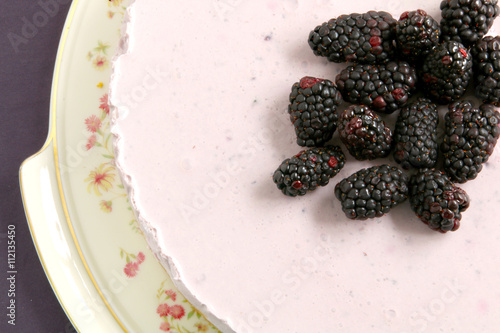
[(200, 96)]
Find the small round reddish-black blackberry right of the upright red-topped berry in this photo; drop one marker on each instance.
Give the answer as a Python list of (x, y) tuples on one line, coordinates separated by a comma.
[(364, 133)]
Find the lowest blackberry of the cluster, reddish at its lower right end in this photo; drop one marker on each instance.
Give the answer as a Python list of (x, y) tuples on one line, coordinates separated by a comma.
[(436, 200)]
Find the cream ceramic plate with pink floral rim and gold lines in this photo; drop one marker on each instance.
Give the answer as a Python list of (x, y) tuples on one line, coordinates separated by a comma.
[(87, 238)]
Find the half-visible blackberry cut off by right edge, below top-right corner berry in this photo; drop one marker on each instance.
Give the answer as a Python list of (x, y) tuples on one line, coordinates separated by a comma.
[(486, 60)]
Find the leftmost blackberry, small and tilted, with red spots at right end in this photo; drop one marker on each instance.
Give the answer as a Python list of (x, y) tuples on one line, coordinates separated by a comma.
[(308, 169)]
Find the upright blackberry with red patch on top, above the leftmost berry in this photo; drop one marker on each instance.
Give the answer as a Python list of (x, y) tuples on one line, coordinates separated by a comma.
[(312, 110)]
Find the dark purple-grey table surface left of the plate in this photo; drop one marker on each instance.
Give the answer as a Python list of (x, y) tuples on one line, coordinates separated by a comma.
[(26, 66)]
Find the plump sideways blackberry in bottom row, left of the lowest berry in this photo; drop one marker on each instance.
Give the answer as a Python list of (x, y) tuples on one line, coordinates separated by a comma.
[(372, 192)]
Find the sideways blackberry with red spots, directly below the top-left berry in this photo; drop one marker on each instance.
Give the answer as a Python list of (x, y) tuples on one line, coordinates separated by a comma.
[(384, 87)]
